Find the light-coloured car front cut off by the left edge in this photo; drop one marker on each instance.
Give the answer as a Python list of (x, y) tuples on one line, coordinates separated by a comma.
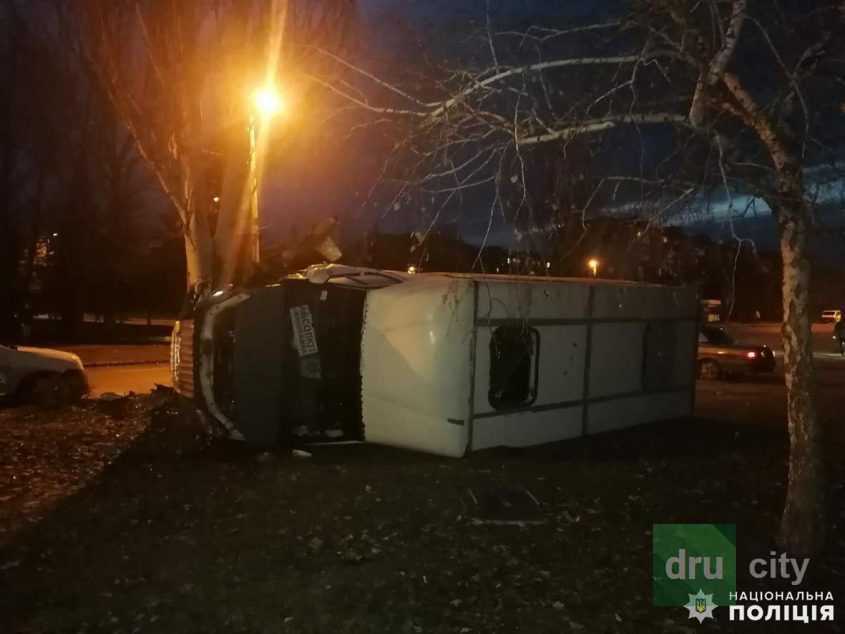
[(45, 376)]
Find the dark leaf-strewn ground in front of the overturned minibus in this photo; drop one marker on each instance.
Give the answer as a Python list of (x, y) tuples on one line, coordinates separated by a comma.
[(123, 517)]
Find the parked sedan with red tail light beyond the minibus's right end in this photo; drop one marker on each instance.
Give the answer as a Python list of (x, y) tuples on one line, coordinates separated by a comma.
[(719, 355)]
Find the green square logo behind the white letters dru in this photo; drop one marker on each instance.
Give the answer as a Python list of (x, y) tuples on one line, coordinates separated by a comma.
[(692, 558)]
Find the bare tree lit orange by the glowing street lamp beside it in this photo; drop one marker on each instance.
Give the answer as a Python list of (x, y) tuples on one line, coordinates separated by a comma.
[(179, 75)]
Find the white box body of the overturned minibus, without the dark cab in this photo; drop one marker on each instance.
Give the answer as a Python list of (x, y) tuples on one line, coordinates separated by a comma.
[(426, 359)]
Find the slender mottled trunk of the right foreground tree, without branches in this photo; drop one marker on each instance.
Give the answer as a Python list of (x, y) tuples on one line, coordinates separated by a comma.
[(803, 524)]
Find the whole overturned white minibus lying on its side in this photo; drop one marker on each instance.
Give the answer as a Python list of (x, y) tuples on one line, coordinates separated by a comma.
[(443, 363)]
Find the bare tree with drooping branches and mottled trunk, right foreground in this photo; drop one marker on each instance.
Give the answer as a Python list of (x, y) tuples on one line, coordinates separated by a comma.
[(675, 107)]
